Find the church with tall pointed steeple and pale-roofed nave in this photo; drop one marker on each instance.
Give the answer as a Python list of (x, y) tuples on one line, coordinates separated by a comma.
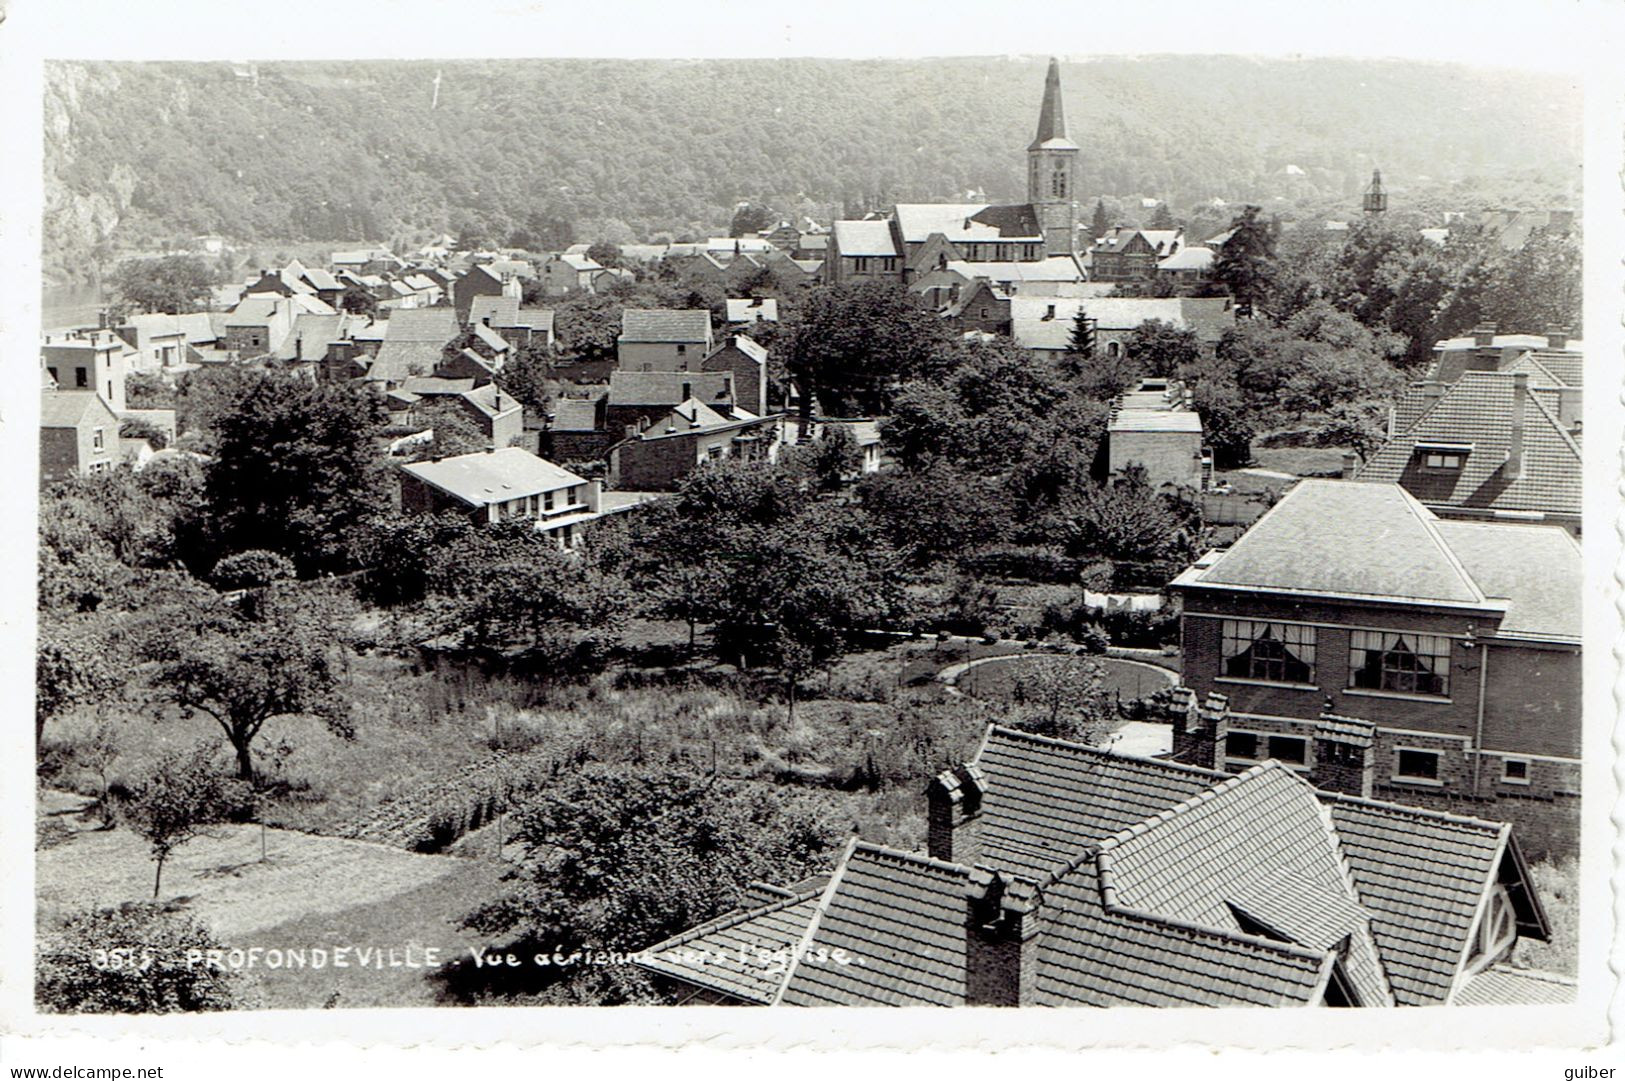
[(940, 248)]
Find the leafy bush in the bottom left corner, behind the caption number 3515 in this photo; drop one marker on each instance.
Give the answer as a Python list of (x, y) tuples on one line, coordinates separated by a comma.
[(158, 979)]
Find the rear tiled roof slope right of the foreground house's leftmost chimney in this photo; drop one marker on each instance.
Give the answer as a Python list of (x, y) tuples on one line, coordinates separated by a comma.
[(1049, 799)]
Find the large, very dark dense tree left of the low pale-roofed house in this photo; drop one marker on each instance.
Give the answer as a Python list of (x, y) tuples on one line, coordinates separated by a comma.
[(297, 471)]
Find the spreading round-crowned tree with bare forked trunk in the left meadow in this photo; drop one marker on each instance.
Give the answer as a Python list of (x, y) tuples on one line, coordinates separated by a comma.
[(245, 674)]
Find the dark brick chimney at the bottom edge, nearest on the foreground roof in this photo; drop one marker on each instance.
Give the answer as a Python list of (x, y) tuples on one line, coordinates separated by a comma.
[(1002, 940)]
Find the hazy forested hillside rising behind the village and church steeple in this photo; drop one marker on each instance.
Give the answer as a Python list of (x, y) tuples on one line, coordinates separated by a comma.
[(142, 154)]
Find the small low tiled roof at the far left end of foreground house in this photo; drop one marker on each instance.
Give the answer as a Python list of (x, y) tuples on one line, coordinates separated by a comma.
[(742, 952)]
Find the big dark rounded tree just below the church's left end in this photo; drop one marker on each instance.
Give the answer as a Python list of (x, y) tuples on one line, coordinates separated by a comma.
[(856, 342)]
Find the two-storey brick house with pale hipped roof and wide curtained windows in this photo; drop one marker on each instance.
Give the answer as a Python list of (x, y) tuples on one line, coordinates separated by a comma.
[(1351, 607)]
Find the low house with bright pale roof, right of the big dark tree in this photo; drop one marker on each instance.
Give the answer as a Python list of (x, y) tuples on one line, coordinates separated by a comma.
[(505, 485)]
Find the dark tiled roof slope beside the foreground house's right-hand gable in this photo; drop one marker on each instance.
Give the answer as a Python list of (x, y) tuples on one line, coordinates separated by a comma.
[(1421, 875)]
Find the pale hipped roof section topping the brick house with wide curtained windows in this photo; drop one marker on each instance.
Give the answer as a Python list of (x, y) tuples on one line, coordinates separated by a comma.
[(1345, 539)]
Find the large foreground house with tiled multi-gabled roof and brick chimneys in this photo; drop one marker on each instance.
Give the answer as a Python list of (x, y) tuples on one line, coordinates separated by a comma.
[(1060, 875)]
